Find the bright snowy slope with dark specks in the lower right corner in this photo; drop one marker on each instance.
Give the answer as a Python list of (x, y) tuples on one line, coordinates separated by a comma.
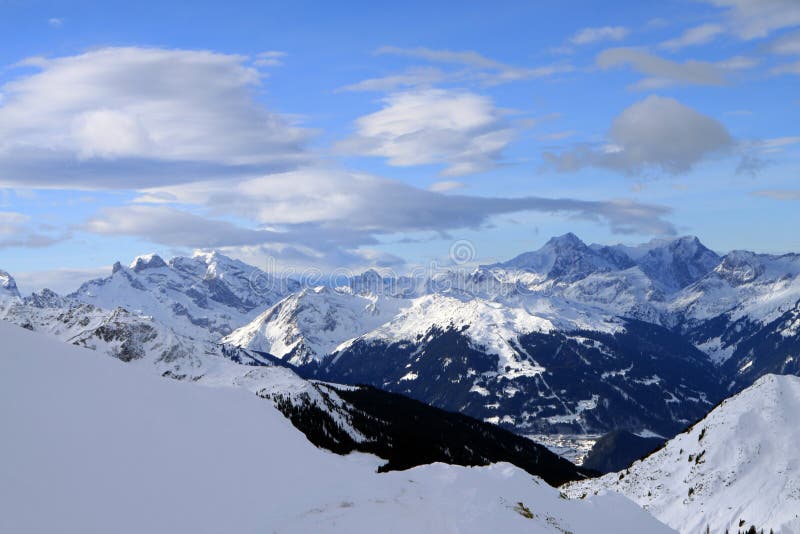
[(740, 463)]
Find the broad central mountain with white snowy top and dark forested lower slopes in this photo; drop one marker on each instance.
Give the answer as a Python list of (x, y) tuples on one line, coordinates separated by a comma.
[(532, 365)]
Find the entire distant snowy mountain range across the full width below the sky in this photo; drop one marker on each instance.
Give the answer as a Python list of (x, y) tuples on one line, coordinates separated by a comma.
[(569, 339)]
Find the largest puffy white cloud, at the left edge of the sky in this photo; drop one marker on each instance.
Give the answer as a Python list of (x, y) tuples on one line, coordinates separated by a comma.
[(124, 117)]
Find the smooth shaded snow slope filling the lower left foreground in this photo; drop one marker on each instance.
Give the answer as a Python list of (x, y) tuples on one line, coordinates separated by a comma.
[(100, 446)]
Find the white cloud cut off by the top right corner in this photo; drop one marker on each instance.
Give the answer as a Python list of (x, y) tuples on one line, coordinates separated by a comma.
[(751, 19)]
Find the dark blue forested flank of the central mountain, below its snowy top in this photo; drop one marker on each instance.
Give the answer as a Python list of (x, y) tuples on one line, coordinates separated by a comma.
[(642, 378)]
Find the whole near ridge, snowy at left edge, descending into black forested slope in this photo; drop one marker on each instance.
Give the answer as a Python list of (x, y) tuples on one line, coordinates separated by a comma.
[(342, 419)]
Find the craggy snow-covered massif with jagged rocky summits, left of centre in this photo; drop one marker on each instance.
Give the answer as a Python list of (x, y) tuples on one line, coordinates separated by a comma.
[(205, 296)]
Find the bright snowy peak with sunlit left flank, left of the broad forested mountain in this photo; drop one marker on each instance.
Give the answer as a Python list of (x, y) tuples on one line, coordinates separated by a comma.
[(312, 323)]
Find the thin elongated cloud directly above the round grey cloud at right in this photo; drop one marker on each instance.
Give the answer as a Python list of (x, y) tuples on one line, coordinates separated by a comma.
[(661, 72)]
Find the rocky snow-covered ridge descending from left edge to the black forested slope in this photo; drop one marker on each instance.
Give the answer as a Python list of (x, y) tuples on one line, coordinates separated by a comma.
[(144, 342)]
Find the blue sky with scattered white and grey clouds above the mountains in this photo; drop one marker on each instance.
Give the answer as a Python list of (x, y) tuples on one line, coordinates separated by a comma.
[(358, 134)]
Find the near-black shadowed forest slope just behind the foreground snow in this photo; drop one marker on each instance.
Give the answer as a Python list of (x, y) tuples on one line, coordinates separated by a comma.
[(409, 433)]
